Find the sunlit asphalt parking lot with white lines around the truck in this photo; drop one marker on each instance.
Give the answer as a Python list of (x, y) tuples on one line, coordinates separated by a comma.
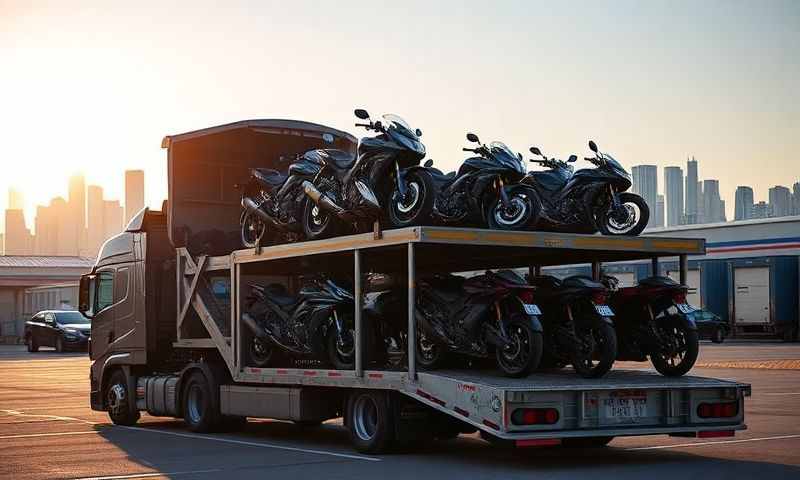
[(48, 431)]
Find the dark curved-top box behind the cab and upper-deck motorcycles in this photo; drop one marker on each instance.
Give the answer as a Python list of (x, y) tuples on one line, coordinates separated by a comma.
[(205, 166)]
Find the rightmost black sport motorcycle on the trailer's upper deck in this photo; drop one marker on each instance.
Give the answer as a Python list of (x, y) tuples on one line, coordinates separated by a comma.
[(589, 200)]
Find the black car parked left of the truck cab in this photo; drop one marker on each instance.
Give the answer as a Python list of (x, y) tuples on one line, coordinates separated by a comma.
[(62, 329)]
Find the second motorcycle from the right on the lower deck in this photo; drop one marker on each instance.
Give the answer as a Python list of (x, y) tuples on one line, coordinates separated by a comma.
[(578, 328)]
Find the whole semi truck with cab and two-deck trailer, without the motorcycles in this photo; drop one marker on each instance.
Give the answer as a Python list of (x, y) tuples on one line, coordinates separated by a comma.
[(167, 295)]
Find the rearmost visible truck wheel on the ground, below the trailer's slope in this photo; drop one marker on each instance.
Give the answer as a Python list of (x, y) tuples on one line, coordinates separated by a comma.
[(370, 421)]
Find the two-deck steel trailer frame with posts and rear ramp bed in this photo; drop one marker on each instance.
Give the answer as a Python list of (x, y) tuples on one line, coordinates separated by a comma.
[(477, 399)]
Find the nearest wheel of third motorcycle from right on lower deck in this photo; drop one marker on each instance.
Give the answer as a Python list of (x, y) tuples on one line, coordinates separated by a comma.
[(524, 351)]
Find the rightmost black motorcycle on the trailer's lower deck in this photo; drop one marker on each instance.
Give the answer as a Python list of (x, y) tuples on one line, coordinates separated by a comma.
[(653, 320)]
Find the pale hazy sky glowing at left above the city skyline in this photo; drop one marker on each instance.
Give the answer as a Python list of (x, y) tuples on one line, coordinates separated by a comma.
[(93, 87)]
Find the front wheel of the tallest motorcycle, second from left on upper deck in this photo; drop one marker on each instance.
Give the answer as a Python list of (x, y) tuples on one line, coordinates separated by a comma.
[(414, 208)]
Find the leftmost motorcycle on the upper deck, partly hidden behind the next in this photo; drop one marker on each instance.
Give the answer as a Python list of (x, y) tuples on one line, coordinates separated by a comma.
[(272, 201)]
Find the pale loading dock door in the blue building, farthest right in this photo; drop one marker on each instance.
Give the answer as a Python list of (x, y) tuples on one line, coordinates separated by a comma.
[(751, 294)]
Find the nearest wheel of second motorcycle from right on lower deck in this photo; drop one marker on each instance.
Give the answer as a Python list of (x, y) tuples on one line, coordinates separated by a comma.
[(596, 350)]
